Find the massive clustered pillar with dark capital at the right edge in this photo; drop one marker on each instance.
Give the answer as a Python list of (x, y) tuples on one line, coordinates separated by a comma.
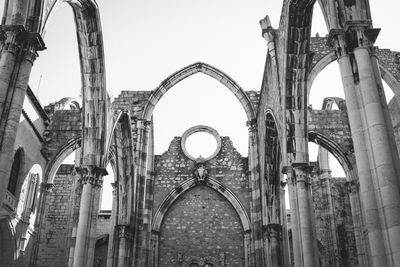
[(379, 189)]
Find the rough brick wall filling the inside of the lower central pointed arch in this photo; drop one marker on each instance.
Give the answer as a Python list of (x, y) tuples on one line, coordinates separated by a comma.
[(201, 224)]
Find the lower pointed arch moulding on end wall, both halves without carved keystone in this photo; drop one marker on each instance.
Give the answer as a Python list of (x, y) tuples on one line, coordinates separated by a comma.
[(188, 184)]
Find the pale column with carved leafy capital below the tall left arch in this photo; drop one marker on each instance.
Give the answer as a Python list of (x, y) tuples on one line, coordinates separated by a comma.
[(91, 178)]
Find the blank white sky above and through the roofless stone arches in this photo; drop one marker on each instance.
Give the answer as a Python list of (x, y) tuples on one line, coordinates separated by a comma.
[(147, 40)]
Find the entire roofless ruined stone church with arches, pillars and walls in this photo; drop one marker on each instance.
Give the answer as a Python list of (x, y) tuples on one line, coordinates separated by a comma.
[(226, 209)]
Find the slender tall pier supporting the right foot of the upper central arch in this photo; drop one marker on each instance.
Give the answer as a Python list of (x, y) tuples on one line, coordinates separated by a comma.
[(255, 206)]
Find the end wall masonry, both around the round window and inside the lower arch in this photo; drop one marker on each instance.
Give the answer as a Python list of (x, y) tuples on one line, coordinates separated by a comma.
[(201, 223)]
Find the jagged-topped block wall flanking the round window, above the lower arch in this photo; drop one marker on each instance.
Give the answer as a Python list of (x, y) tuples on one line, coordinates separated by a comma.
[(228, 167)]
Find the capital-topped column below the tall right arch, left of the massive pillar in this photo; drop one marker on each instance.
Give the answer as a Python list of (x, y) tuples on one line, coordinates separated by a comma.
[(305, 218)]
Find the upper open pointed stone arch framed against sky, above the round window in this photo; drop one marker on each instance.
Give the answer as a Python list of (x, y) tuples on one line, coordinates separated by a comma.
[(190, 70)]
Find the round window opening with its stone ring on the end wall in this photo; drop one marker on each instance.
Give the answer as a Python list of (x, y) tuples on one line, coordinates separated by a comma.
[(201, 141)]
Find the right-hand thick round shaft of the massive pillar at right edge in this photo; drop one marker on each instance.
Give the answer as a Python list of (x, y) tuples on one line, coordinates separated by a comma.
[(381, 159)]
